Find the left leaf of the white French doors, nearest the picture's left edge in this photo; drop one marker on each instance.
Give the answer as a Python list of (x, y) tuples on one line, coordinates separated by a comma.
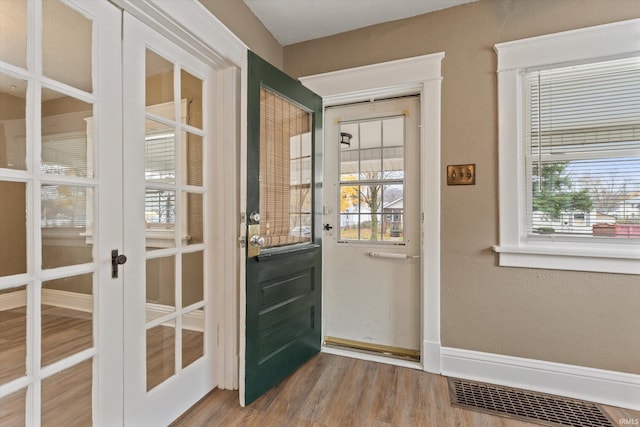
[(51, 279)]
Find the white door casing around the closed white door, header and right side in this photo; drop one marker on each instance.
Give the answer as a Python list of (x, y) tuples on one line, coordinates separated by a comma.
[(418, 75)]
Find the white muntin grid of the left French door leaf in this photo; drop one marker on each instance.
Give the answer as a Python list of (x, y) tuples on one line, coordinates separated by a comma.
[(36, 179)]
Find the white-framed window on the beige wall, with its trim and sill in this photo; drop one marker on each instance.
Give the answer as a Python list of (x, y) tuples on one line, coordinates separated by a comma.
[(569, 129)]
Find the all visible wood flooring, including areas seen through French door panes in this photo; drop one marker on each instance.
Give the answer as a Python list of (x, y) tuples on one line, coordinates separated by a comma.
[(327, 391)]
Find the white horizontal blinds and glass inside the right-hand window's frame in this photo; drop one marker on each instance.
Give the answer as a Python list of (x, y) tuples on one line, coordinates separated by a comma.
[(583, 155)]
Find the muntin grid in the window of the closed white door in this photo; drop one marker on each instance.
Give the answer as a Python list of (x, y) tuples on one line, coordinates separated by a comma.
[(387, 178)]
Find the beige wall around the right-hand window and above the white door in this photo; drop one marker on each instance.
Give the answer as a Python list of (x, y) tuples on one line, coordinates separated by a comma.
[(585, 319)]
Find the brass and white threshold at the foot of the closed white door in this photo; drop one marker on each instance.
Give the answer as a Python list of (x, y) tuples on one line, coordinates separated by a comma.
[(373, 353)]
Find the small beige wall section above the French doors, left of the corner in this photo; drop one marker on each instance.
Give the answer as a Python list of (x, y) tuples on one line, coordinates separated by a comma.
[(236, 16)]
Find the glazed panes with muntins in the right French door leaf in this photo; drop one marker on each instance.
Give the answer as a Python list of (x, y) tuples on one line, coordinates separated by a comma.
[(173, 214)]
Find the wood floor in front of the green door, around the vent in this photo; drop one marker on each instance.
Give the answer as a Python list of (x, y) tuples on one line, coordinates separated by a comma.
[(338, 391)]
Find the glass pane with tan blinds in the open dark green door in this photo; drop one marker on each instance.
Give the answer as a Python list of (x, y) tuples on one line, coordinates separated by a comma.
[(285, 171)]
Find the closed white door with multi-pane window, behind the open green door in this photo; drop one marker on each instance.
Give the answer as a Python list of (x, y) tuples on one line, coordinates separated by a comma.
[(373, 230)]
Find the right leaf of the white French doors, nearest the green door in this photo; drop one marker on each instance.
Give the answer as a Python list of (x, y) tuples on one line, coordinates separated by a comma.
[(168, 311)]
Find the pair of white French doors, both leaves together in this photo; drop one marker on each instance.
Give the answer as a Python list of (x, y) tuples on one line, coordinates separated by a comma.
[(80, 184)]
